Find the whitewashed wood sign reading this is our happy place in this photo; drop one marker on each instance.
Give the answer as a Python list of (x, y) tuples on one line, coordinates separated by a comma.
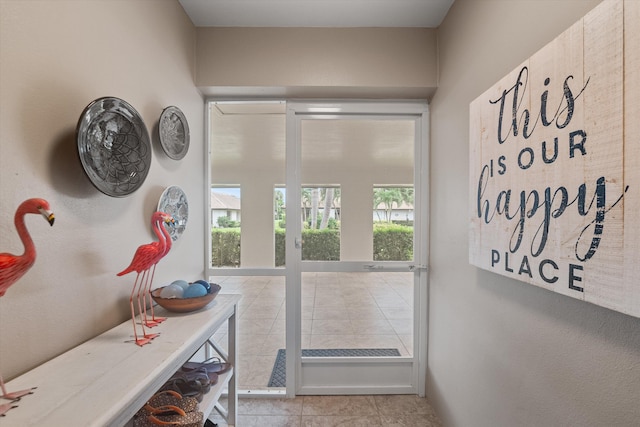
[(554, 167)]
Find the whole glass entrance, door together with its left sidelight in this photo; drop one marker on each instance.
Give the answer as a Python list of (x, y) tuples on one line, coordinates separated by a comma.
[(317, 214)]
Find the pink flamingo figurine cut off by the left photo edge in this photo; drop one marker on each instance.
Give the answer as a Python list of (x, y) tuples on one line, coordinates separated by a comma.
[(13, 267)]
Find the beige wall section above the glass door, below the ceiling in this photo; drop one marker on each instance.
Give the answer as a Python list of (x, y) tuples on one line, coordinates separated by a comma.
[(317, 62)]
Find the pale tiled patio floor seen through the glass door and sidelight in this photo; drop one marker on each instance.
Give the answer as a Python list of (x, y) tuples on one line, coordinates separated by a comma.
[(339, 310)]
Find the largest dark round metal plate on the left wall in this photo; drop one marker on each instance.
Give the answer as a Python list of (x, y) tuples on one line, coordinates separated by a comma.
[(114, 146)]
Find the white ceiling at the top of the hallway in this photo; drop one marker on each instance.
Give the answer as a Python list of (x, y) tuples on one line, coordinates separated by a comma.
[(317, 13)]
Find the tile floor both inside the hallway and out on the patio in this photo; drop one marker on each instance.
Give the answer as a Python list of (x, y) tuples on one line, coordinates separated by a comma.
[(340, 310)]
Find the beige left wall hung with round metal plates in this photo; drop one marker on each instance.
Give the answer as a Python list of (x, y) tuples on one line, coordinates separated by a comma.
[(55, 58)]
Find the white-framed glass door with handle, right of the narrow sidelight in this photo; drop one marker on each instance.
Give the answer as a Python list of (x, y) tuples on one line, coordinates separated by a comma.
[(356, 206)]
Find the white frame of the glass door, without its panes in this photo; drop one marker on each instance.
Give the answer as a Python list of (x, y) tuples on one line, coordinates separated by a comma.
[(412, 370)]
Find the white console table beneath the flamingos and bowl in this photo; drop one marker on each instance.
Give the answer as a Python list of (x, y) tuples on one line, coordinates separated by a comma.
[(106, 380)]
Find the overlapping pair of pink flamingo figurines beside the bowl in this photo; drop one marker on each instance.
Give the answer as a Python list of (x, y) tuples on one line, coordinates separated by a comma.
[(145, 257)]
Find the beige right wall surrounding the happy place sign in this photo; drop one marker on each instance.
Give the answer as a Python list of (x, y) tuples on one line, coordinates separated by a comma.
[(502, 352)]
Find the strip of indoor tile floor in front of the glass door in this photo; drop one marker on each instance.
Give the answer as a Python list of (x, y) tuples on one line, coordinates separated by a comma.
[(333, 411)]
